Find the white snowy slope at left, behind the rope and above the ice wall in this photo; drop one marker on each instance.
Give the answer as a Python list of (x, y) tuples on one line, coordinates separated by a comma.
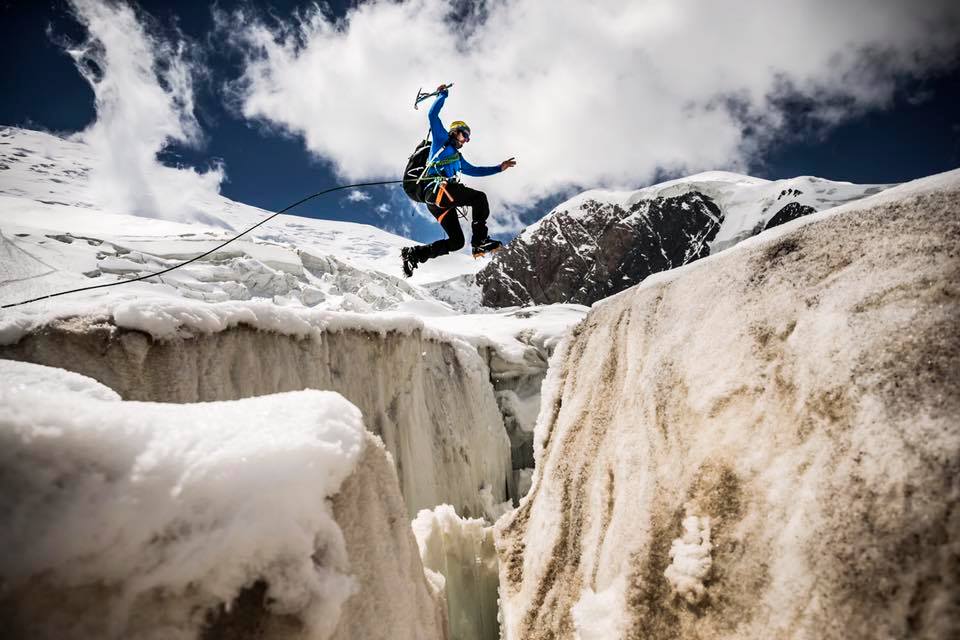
[(52, 239)]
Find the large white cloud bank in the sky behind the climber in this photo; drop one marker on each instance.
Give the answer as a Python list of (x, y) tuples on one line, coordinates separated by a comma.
[(604, 95)]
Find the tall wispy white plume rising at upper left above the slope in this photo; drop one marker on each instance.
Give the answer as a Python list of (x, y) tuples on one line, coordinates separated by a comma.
[(143, 88)]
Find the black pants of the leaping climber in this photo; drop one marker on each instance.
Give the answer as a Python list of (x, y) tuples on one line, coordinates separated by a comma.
[(455, 195)]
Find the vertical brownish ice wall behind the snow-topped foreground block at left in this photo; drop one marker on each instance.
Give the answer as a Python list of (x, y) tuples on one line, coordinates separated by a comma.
[(430, 400)]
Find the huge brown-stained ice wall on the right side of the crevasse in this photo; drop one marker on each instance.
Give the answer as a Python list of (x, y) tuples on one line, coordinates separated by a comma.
[(762, 444)]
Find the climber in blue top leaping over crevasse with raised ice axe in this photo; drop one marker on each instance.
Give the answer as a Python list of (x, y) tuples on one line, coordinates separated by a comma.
[(432, 177)]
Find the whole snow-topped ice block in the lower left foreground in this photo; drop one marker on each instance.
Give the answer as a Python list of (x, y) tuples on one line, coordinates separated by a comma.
[(245, 519)]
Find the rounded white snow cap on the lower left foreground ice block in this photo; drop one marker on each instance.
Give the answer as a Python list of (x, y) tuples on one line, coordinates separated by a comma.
[(172, 506)]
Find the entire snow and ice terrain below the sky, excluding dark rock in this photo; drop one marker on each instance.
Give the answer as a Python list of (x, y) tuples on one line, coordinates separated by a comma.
[(762, 443)]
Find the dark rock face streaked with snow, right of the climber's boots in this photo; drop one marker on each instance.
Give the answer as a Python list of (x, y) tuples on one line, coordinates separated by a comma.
[(599, 250)]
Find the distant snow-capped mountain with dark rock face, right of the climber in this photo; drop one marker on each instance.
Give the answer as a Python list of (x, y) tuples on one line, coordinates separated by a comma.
[(601, 242)]
